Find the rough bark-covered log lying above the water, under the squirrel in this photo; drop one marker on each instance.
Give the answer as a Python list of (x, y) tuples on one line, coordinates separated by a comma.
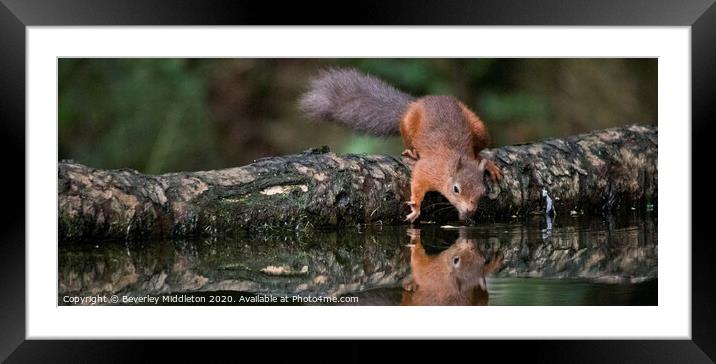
[(594, 172)]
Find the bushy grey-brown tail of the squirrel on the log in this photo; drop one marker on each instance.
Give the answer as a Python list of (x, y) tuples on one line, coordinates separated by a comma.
[(357, 100)]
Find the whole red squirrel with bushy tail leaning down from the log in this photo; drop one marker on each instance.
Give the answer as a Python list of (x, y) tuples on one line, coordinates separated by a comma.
[(440, 133)]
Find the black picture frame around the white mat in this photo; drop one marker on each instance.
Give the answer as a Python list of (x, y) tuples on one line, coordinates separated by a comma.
[(16, 15)]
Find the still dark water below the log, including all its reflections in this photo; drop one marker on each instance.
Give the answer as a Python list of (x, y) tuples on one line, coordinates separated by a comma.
[(570, 260)]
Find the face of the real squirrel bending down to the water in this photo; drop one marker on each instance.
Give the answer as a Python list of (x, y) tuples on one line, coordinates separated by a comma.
[(466, 186)]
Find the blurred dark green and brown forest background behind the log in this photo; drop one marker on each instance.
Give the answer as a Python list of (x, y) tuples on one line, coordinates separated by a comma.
[(163, 115)]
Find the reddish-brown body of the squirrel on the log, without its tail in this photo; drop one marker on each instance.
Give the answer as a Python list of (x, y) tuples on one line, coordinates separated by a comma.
[(446, 138)]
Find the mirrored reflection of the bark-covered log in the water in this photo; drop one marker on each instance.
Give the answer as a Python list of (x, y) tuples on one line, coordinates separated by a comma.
[(334, 264)]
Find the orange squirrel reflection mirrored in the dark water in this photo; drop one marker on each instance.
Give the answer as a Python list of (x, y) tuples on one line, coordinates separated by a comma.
[(456, 276)]
